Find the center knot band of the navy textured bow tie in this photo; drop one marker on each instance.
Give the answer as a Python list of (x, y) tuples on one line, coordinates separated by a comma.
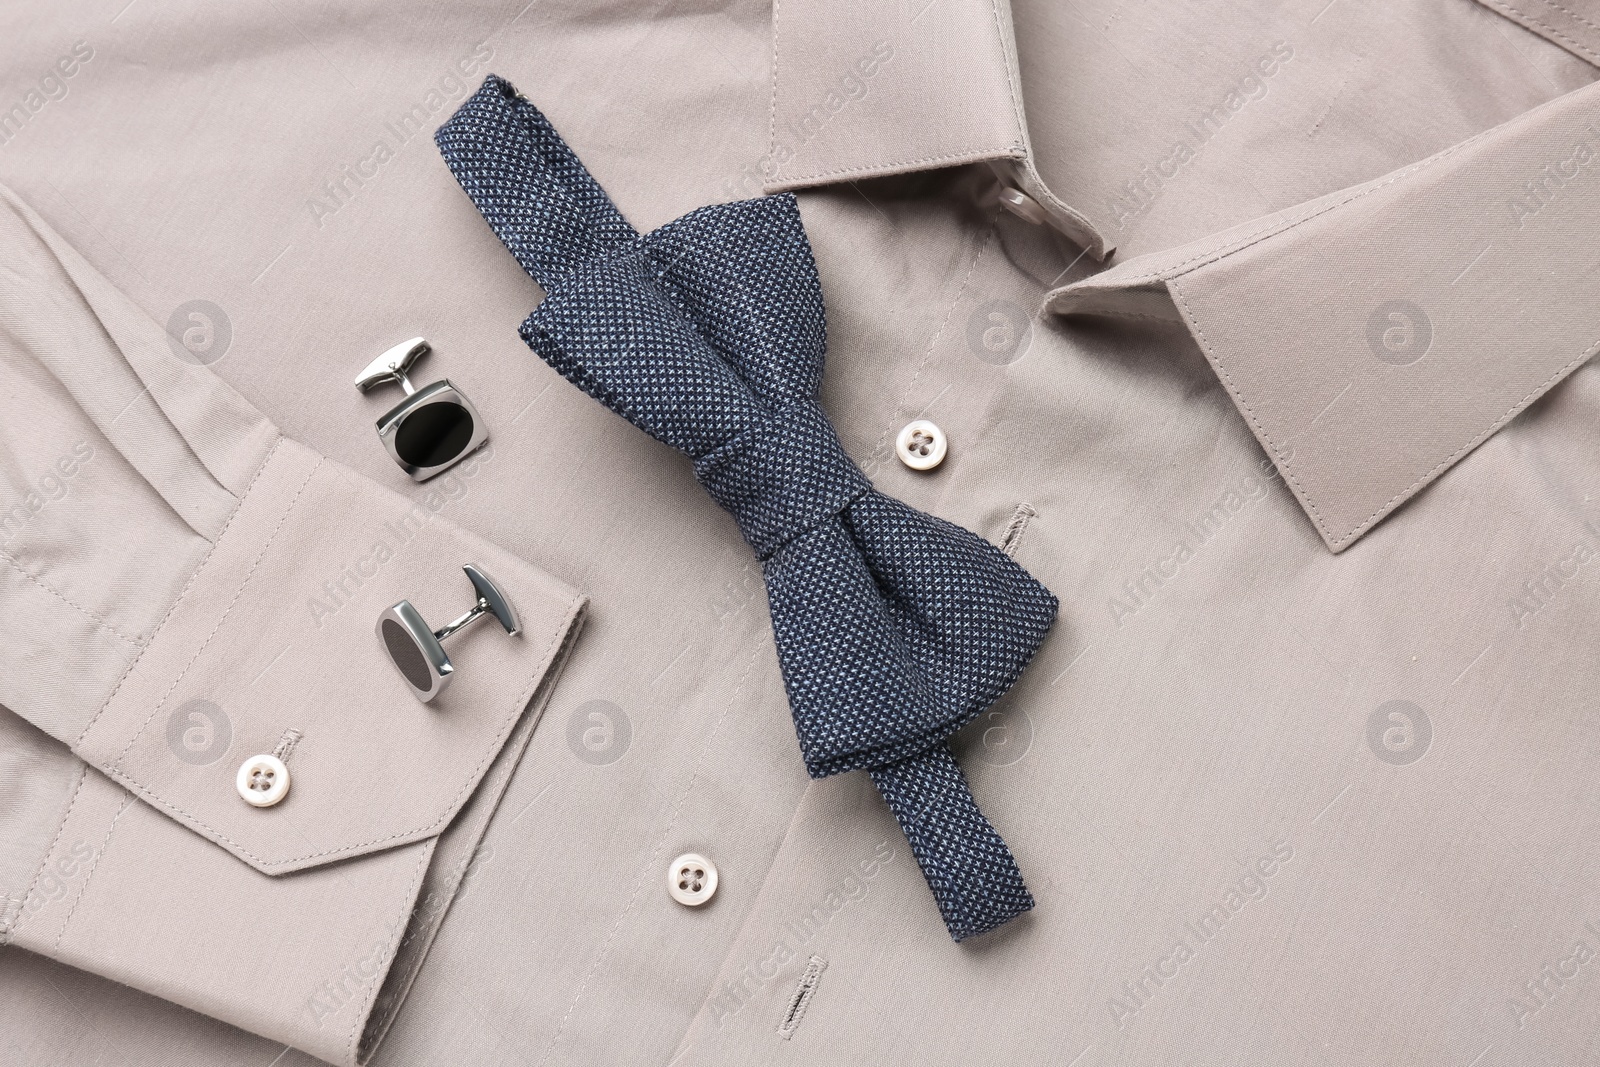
[(783, 478)]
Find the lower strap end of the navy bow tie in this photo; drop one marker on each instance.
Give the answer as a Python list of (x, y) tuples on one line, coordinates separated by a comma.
[(969, 868)]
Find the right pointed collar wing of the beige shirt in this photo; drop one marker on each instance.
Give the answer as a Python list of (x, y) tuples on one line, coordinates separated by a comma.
[(1375, 337)]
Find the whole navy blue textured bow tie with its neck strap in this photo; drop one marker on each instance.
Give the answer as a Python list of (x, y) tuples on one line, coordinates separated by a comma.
[(894, 628)]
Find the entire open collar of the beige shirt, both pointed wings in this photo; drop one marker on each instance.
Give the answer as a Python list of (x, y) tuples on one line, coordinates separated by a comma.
[(1370, 338)]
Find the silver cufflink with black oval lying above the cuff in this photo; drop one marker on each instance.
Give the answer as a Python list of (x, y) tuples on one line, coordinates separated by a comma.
[(434, 426)]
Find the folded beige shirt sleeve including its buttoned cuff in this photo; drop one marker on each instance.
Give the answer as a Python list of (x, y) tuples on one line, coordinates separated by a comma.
[(182, 589)]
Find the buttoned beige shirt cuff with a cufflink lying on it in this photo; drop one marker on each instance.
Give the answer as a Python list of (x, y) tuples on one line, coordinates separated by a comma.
[(287, 921)]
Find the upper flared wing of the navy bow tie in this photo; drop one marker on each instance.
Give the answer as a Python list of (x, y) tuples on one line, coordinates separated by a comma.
[(700, 332)]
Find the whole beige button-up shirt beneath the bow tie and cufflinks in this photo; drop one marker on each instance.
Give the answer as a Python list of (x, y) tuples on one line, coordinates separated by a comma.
[(1258, 334)]
